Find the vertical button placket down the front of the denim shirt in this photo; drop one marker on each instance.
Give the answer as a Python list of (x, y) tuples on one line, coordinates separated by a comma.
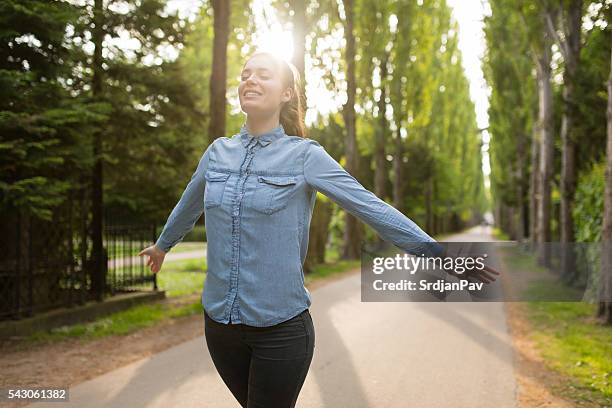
[(244, 173)]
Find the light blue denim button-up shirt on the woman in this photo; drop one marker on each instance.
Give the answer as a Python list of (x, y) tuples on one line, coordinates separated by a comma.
[(257, 194)]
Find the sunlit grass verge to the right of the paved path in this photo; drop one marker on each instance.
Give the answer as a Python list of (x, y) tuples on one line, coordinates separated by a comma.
[(569, 340)]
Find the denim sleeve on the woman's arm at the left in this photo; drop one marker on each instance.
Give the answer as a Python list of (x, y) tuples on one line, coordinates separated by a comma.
[(188, 209)]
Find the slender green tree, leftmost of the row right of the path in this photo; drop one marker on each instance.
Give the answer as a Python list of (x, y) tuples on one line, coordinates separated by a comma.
[(508, 70)]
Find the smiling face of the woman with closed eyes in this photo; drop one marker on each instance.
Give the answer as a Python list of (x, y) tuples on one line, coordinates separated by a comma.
[(261, 90)]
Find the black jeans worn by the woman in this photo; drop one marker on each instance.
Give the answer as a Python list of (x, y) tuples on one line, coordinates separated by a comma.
[(262, 366)]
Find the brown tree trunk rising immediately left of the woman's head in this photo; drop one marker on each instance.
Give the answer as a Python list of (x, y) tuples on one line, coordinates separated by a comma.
[(218, 77)]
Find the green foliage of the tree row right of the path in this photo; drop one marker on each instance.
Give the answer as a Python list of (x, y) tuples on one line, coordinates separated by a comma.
[(514, 35)]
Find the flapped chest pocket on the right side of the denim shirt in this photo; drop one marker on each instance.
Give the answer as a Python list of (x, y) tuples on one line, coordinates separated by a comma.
[(273, 193)]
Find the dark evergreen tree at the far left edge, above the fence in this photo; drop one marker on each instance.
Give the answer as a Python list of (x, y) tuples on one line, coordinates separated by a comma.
[(45, 140)]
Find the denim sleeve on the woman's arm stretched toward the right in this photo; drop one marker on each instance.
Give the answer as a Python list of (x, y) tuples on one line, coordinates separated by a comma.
[(323, 173)]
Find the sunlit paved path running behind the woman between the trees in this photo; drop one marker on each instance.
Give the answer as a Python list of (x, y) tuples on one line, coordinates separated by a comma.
[(409, 354)]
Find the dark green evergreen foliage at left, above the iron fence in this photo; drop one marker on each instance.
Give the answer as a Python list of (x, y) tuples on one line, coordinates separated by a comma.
[(49, 114)]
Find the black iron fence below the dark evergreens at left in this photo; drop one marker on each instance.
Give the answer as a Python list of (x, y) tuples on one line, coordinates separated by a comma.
[(46, 264)]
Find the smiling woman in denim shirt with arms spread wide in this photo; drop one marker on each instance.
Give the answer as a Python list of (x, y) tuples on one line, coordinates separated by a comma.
[(257, 190)]
